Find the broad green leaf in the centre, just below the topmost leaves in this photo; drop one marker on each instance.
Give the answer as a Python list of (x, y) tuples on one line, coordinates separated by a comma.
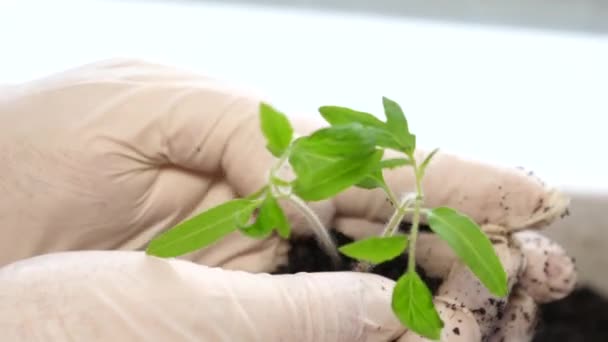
[(318, 178)]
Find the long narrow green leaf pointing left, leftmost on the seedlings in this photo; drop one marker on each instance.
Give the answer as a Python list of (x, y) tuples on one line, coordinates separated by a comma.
[(202, 230)]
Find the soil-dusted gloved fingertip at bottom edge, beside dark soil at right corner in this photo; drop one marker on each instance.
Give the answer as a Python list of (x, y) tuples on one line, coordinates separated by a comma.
[(519, 321)]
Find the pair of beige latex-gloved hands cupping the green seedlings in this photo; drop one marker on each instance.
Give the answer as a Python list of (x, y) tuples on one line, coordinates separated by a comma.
[(106, 156)]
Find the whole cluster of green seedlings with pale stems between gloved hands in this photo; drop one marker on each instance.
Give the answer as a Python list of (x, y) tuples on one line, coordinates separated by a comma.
[(348, 153)]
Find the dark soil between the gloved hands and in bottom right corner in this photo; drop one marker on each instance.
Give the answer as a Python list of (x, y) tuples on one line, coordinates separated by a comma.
[(582, 316)]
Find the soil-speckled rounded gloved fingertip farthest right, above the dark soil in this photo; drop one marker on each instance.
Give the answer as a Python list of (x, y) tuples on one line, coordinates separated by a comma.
[(550, 274)]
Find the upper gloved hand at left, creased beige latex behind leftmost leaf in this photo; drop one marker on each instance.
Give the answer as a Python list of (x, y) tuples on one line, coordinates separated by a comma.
[(108, 155)]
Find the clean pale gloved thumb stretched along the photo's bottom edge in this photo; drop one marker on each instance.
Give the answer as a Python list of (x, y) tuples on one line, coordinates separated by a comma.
[(128, 296)]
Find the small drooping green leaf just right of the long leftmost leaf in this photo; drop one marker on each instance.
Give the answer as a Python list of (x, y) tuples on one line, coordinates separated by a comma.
[(270, 217)]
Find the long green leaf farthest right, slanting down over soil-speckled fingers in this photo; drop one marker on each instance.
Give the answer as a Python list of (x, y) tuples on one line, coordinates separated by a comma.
[(471, 245)]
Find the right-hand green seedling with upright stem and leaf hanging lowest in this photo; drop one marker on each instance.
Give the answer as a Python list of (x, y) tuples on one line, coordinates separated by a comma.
[(412, 299)]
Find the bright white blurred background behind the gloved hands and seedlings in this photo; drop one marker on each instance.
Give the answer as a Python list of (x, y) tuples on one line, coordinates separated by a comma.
[(516, 83)]
